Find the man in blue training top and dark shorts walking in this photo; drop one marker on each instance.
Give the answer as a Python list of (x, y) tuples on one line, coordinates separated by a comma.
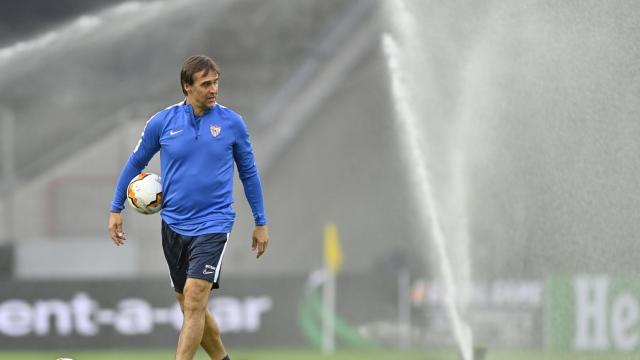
[(199, 141)]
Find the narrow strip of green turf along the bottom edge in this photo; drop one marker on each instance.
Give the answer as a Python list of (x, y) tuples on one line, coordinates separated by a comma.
[(302, 355)]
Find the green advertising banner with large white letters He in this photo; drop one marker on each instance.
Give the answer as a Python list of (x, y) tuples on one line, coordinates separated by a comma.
[(593, 313)]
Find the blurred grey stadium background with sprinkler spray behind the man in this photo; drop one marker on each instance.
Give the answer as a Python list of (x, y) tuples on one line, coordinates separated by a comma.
[(525, 115)]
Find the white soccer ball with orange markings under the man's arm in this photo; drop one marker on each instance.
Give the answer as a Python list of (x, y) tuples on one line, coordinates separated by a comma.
[(145, 193)]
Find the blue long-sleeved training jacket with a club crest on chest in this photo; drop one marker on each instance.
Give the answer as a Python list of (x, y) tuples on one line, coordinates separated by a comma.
[(196, 157)]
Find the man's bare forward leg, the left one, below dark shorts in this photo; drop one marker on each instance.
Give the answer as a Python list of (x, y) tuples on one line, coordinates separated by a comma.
[(196, 296)]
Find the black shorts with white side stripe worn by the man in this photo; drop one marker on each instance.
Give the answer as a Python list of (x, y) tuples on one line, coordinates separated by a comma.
[(198, 257)]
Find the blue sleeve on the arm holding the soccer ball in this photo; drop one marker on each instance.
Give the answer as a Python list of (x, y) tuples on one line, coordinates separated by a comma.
[(147, 146)]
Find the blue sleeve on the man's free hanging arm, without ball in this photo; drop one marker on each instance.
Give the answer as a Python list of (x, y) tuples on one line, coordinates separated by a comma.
[(249, 175)]
